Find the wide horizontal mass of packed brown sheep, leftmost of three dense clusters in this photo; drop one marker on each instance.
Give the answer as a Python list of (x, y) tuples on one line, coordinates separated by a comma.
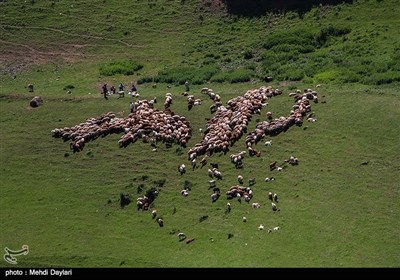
[(150, 125)]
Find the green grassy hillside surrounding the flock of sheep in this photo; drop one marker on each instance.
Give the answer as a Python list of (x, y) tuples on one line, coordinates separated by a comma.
[(335, 212)]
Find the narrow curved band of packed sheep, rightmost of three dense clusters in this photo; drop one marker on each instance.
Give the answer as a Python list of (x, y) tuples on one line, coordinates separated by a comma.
[(282, 124)]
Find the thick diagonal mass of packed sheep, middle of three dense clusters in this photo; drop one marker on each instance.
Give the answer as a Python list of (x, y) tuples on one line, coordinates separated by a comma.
[(229, 123)]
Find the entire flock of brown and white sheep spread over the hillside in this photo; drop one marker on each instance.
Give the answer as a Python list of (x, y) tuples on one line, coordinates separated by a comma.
[(227, 126)]
